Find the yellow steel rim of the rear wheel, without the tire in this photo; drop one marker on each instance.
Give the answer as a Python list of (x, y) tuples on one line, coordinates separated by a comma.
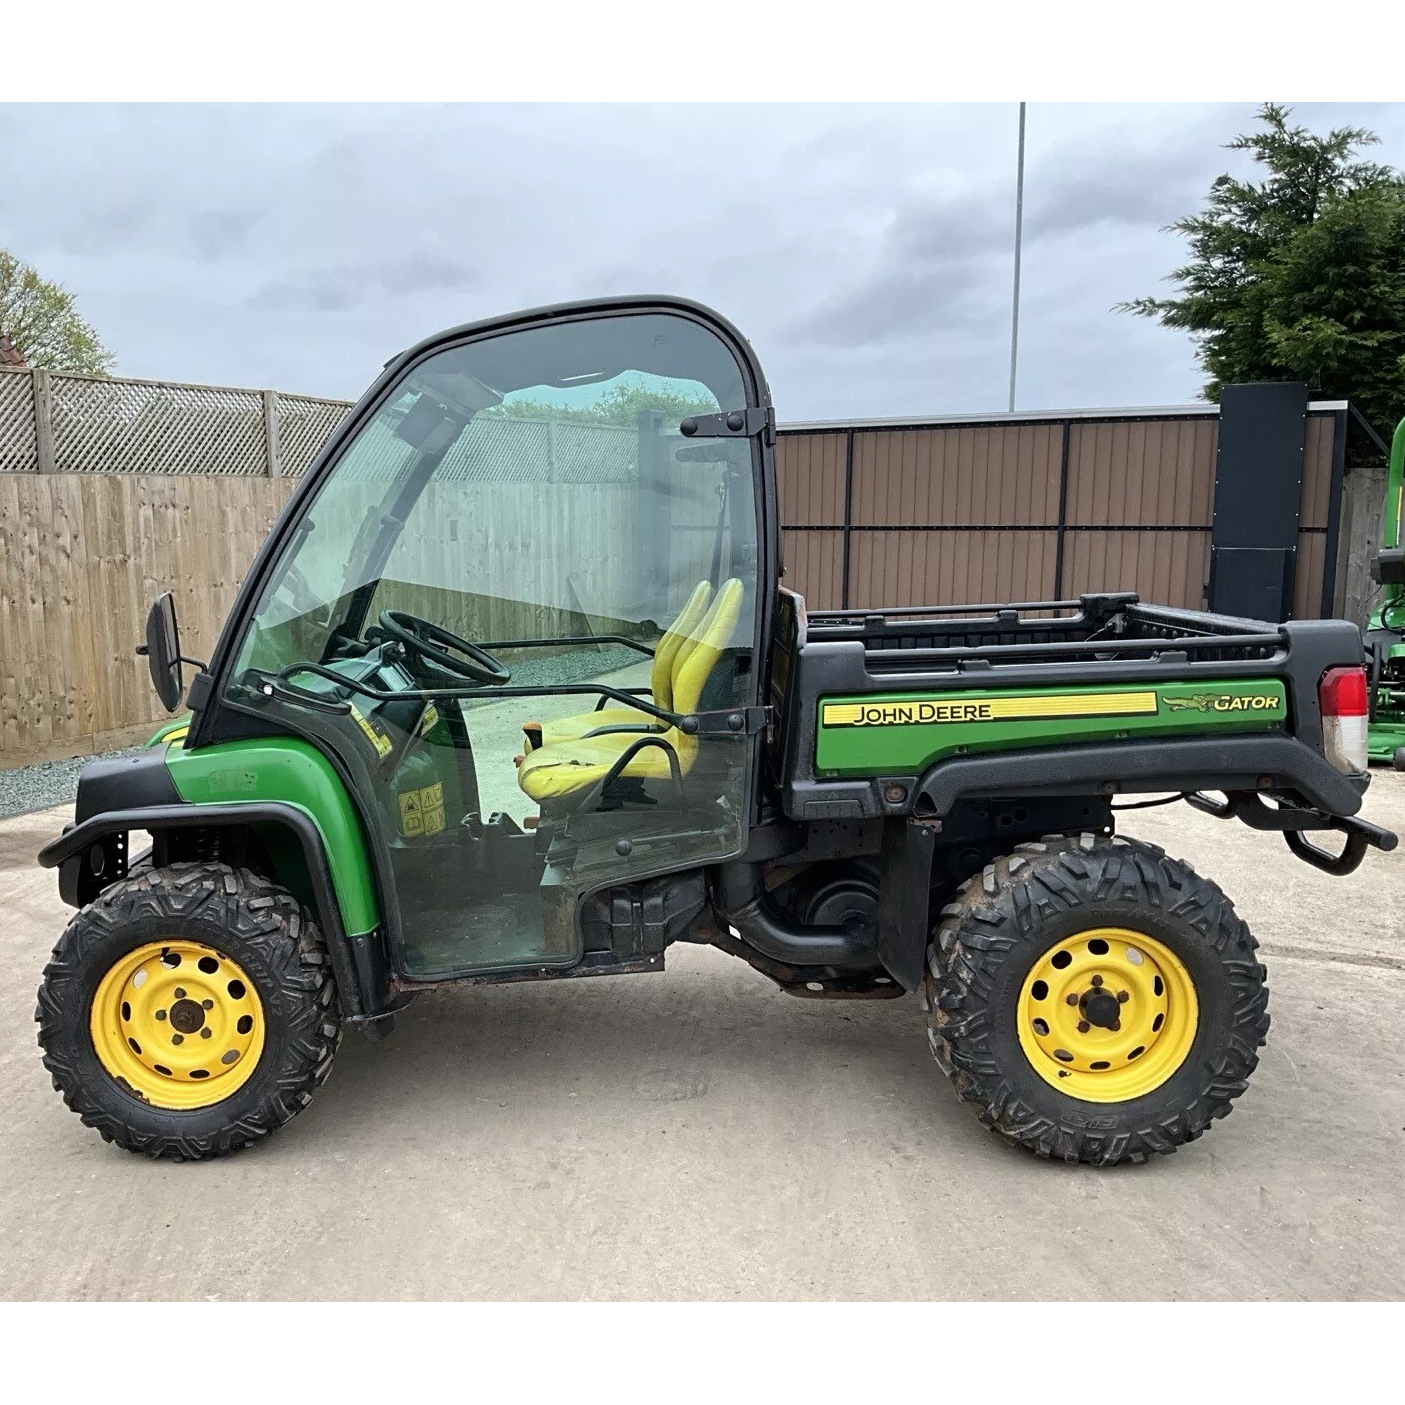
[(1108, 1015)]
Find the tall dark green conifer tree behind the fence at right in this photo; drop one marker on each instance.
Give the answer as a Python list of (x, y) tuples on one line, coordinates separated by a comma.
[(1299, 276)]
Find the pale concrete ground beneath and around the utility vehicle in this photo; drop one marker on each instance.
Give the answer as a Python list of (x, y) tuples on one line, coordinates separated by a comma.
[(699, 1135)]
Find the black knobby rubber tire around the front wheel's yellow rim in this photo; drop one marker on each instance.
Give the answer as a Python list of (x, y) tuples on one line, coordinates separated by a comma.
[(244, 918)]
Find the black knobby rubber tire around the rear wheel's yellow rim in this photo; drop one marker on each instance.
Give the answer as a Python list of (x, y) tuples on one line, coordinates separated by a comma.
[(1002, 925)]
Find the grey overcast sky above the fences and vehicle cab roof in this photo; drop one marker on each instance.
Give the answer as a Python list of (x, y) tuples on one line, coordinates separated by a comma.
[(866, 251)]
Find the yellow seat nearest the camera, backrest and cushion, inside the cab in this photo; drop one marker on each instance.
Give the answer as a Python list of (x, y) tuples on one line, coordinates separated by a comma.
[(570, 766)]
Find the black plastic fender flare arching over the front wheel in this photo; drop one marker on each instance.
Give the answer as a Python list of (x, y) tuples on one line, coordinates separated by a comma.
[(355, 1002)]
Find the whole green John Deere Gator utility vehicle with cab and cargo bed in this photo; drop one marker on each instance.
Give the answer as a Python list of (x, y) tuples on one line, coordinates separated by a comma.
[(515, 693)]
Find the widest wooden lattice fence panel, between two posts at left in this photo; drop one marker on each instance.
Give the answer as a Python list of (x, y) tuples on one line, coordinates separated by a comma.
[(116, 426)]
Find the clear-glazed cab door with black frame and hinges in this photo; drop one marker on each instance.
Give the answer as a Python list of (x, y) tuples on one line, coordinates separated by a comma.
[(570, 499)]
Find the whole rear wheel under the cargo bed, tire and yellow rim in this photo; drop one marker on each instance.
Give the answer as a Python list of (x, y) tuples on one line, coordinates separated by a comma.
[(1095, 1000)]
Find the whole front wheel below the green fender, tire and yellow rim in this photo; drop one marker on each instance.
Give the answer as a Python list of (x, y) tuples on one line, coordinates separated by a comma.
[(189, 1011)]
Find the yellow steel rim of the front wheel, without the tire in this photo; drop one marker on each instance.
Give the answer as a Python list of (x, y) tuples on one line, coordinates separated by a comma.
[(178, 1025)]
